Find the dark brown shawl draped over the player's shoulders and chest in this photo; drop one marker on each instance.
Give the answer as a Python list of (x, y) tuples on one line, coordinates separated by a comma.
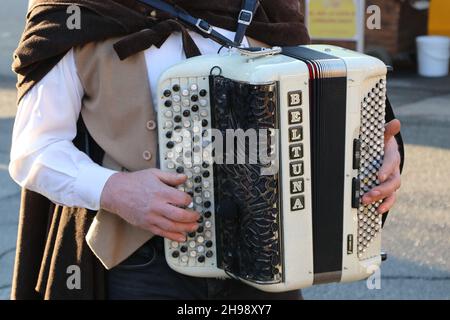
[(46, 37)]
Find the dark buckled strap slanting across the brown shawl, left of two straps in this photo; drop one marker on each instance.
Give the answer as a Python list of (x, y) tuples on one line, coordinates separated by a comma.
[(195, 23)]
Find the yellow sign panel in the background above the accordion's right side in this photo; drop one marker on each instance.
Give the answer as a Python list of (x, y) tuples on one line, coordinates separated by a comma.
[(333, 19)]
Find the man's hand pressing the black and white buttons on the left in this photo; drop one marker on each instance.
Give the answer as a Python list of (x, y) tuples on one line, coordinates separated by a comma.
[(148, 199)]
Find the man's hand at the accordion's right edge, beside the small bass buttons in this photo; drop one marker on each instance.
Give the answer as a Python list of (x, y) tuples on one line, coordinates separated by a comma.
[(389, 174)]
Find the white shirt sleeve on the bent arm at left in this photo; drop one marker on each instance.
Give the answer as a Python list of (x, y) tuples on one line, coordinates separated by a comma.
[(43, 157)]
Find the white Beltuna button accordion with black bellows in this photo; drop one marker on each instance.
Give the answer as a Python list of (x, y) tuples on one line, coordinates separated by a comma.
[(279, 146)]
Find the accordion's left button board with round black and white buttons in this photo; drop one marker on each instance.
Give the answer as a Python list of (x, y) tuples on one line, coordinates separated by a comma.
[(186, 150)]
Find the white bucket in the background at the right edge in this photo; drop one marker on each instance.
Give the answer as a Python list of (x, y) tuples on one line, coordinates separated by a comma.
[(433, 55)]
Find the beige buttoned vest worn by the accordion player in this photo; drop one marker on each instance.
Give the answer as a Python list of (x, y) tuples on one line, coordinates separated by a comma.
[(118, 111)]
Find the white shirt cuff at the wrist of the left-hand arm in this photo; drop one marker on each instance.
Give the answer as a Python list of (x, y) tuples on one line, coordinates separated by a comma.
[(90, 183)]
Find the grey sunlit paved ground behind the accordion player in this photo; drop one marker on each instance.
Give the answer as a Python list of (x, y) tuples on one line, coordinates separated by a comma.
[(417, 235)]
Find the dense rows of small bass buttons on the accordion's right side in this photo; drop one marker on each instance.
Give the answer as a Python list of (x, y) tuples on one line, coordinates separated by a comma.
[(372, 153)]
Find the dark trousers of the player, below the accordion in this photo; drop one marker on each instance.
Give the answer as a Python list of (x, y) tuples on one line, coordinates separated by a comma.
[(146, 275)]
